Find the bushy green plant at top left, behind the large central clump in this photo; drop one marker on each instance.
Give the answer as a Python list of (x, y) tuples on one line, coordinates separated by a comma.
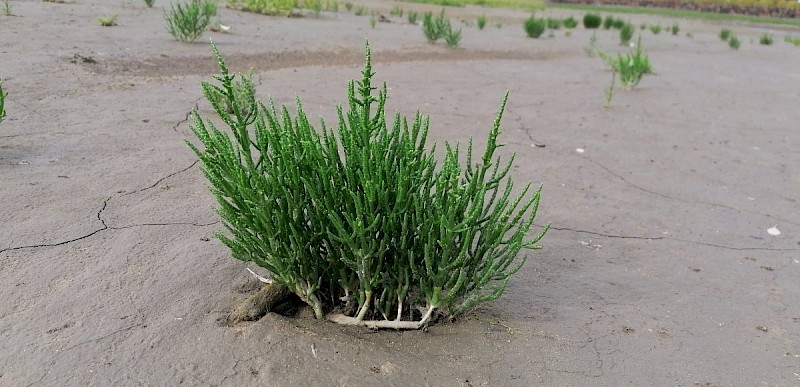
[(188, 21)]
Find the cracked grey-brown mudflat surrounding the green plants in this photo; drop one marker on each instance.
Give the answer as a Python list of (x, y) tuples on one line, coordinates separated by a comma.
[(658, 269)]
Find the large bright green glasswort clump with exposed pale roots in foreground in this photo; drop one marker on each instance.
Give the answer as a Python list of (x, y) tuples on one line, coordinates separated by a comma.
[(362, 219)]
